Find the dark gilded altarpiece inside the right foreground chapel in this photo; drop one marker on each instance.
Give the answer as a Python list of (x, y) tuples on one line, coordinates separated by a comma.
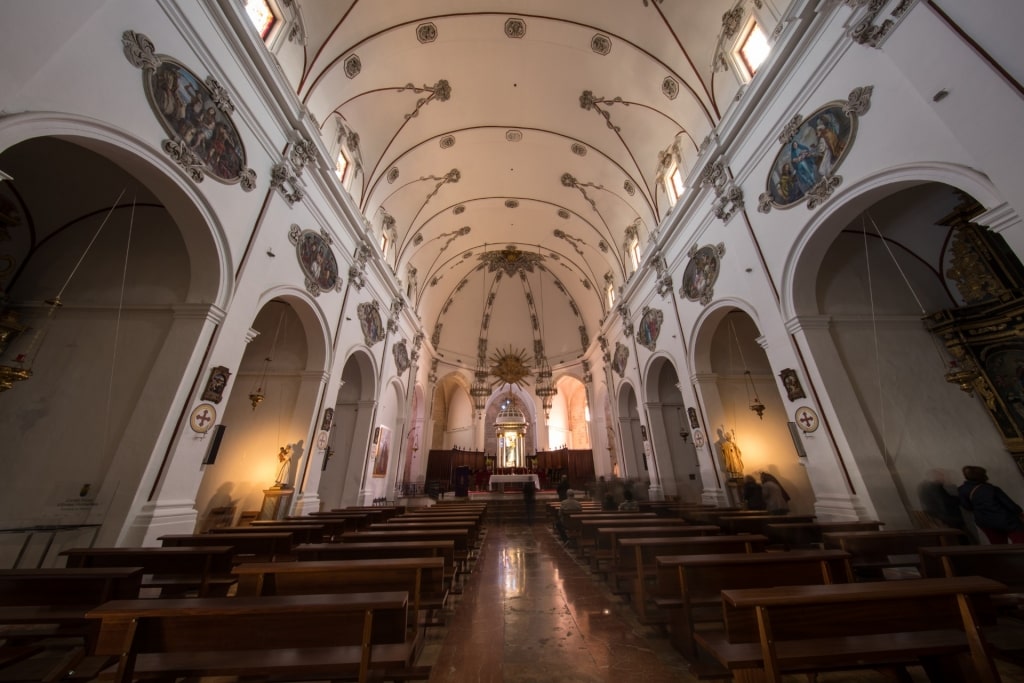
[(986, 337)]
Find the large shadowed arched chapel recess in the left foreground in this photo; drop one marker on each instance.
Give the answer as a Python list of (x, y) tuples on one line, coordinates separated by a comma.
[(131, 255)]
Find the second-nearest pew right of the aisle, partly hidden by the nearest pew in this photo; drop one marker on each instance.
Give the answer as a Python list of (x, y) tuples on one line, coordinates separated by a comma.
[(690, 587)]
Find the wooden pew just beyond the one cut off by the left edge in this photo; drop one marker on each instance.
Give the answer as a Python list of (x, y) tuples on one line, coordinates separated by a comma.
[(205, 571)]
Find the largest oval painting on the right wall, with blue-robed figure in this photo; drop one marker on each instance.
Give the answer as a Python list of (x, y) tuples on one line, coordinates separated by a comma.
[(813, 151)]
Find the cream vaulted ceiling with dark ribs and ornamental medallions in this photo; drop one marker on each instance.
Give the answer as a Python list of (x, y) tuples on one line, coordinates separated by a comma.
[(513, 145)]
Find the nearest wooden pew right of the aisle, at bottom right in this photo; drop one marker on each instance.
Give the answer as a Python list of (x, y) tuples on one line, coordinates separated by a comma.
[(787, 629)]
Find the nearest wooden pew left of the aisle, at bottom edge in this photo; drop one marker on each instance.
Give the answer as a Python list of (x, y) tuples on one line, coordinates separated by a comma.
[(294, 637)]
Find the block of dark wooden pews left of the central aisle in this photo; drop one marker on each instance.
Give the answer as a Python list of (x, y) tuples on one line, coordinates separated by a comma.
[(333, 619)]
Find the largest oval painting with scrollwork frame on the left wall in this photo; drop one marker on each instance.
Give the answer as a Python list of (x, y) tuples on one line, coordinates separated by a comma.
[(196, 114)]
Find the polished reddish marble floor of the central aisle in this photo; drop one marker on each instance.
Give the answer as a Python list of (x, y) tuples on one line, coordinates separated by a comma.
[(530, 612)]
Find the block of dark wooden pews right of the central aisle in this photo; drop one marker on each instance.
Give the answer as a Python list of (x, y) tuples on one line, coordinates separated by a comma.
[(755, 614)]
